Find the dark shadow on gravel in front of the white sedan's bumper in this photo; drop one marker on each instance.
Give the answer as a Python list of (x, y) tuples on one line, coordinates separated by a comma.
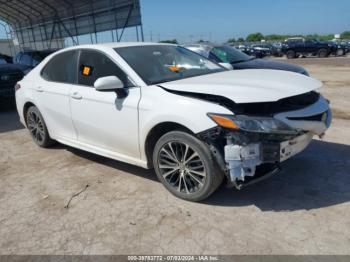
[(319, 177)]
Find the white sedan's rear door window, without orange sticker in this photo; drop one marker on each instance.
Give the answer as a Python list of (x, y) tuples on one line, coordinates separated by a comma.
[(62, 68)]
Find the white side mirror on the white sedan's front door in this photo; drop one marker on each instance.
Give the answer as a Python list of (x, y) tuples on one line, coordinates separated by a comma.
[(111, 83)]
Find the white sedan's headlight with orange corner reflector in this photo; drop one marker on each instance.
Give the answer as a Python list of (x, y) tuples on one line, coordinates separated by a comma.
[(252, 124)]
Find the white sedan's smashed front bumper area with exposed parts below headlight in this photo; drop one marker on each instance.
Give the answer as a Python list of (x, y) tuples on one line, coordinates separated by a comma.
[(248, 157)]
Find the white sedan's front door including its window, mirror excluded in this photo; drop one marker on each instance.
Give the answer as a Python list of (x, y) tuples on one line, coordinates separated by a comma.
[(100, 118)]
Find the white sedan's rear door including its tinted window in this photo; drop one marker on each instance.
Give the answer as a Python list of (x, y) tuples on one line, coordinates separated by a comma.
[(52, 93)]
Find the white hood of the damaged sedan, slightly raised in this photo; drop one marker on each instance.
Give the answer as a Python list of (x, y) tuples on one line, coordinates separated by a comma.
[(247, 86)]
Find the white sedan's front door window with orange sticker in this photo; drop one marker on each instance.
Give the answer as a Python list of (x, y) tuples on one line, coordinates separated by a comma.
[(93, 65)]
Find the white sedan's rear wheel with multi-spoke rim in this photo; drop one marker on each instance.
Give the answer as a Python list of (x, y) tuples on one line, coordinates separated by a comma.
[(37, 128)]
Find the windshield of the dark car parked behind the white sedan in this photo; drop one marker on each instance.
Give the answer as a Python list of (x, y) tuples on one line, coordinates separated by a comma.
[(228, 54)]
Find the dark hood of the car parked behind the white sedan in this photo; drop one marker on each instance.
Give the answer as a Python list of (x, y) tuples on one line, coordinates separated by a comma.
[(268, 64)]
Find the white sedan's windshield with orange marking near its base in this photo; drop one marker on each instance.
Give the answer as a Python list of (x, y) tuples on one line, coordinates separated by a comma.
[(163, 63)]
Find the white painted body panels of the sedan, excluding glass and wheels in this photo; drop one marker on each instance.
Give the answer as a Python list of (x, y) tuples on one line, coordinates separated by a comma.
[(101, 123)]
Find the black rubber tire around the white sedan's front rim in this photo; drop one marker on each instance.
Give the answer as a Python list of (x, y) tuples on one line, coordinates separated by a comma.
[(204, 154)]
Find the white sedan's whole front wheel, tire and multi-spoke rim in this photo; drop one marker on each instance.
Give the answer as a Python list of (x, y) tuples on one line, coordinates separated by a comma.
[(185, 166)]
